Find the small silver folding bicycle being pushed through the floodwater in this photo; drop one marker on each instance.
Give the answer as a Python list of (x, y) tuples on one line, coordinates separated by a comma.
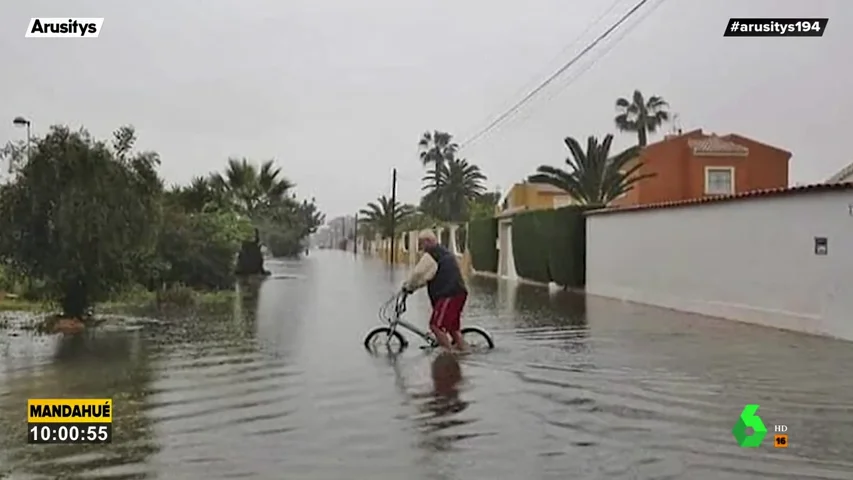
[(391, 312)]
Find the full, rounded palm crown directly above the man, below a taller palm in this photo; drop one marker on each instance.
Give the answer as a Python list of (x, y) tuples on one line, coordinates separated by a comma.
[(451, 188)]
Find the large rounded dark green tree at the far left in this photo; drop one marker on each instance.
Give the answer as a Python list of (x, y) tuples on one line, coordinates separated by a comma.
[(79, 216)]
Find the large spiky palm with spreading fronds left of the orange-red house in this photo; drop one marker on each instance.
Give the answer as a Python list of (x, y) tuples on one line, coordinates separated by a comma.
[(594, 177)]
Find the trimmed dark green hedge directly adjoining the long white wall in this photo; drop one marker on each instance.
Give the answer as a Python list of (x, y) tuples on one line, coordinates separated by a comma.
[(550, 246)]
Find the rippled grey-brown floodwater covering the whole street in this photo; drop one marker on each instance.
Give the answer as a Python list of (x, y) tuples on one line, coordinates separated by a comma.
[(279, 387)]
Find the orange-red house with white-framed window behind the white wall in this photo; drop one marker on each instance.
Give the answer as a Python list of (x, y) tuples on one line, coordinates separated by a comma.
[(697, 165)]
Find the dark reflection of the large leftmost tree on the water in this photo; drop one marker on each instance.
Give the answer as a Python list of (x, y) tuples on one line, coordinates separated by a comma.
[(105, 365)]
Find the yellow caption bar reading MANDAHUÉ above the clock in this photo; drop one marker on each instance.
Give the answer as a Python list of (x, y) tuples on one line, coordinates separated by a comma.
[(69, 410)]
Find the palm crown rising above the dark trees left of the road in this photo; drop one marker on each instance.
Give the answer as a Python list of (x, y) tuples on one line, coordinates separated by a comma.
[(253, 189)]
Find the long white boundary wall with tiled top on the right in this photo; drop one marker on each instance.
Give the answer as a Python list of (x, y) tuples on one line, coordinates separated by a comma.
[(751, 260)]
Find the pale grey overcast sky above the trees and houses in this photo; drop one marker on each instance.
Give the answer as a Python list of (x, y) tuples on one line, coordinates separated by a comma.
[(338, 92)]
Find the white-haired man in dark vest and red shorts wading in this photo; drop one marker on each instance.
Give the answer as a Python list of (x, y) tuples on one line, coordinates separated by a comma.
[(439, 270)]
